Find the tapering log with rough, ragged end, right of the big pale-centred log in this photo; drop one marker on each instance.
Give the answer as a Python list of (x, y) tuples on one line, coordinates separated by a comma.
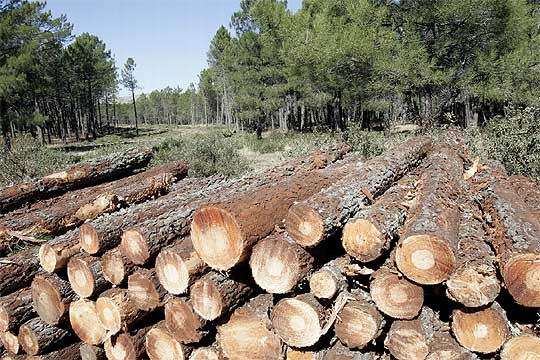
[(474, 282)]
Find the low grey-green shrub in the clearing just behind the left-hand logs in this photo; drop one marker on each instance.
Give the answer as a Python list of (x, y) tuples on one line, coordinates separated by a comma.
[(206, 154)]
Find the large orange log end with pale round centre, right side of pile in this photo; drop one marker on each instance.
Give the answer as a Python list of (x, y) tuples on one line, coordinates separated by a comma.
[(425, 259)]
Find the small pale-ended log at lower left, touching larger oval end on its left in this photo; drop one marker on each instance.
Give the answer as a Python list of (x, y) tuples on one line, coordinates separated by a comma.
[(116, 310)]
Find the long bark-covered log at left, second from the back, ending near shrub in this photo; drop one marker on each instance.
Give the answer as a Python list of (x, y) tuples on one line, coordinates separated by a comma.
[(56, 216)]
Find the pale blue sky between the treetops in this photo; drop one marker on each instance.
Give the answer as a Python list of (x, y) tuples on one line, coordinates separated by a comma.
[(168, 39)]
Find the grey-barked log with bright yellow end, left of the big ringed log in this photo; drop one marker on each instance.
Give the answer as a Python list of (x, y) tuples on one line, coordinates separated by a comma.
[(371, 232)]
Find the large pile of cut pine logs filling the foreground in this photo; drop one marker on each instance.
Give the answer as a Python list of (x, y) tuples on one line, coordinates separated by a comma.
[(417, 254)]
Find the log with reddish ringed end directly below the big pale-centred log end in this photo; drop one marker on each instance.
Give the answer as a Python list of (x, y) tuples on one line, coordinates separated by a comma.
[(393, 294)]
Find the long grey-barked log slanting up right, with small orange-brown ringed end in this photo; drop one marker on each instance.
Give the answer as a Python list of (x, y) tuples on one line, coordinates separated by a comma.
[(322, 215)]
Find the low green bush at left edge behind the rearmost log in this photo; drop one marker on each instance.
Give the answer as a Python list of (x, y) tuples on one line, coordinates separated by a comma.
[(29, 159)]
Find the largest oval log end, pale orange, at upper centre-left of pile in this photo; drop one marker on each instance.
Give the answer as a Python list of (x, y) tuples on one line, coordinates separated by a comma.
[(217, 237)]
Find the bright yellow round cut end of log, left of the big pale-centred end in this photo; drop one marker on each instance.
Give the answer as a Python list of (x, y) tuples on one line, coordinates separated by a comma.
[(362, 240)]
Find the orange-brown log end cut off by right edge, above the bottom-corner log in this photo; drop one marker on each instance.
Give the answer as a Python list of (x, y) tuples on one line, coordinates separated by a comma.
[(521, 276)]
